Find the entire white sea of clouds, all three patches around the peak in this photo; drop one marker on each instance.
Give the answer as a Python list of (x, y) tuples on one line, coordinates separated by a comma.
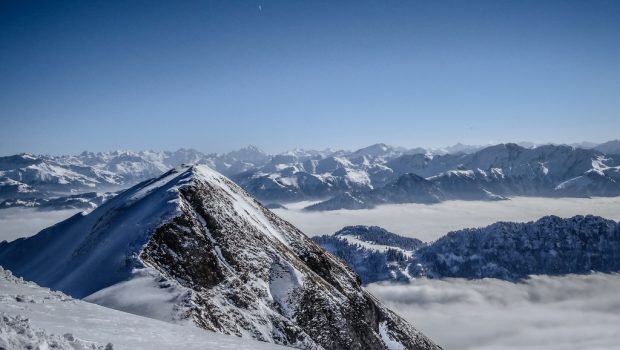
[(557, 313)]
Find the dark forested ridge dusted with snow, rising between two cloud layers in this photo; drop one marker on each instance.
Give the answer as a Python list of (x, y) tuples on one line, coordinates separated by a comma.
[(504, 250)]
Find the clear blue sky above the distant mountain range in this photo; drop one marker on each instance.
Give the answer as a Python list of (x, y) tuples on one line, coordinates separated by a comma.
[(218, 75)]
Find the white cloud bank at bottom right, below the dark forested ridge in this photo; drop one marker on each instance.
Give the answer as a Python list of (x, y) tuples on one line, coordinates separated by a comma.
[(553, 313)]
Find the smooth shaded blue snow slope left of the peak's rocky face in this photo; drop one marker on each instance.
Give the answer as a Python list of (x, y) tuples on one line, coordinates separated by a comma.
[(79, 264)]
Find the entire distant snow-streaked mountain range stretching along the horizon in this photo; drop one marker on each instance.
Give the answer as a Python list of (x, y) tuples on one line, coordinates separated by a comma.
[(364, 178)]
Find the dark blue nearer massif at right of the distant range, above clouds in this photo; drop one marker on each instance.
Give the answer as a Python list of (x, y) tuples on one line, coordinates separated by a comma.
[(492, 173)]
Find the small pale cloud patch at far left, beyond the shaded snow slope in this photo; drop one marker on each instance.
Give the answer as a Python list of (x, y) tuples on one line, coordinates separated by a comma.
[(24, 222)]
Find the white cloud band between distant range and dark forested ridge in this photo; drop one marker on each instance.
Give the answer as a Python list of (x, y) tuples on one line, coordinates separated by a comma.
[(429, 222)]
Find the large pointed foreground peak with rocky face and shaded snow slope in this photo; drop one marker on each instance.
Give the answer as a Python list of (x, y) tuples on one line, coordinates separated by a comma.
[(192, 247)]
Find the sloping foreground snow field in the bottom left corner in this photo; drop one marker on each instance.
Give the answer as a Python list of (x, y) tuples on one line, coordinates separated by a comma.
[(57, 314)]
